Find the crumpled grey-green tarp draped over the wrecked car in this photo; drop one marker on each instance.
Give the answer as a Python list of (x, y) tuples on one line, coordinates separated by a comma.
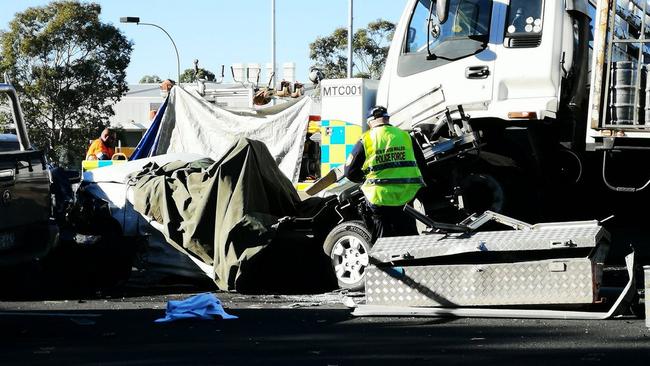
[(226, 213)]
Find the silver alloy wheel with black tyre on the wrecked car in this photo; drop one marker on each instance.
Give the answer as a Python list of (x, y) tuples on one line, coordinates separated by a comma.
[(348, 246)]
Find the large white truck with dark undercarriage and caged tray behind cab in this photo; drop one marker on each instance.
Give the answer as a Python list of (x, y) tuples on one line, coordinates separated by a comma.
[(557, 88)]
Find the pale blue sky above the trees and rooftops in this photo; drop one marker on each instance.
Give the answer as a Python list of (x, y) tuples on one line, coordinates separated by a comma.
[(220, 32)]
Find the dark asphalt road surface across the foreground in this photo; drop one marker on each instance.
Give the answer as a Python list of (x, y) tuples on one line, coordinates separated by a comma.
[(119, 329)]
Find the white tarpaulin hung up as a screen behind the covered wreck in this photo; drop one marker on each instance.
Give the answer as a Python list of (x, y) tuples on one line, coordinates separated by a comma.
[(193, 125)]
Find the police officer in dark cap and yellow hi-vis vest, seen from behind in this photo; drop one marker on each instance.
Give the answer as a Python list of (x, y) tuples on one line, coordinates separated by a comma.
[(386, 161)]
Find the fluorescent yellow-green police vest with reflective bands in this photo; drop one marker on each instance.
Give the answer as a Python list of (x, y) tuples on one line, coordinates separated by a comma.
[(392, 174)]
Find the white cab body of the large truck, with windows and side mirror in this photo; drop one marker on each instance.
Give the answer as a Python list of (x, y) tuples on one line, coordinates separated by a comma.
[(502, 60)]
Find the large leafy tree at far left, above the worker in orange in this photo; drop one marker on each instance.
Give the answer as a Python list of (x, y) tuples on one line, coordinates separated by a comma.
[(69, 69)]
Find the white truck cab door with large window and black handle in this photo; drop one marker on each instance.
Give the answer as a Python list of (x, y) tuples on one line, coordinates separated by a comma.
[(457, 55)]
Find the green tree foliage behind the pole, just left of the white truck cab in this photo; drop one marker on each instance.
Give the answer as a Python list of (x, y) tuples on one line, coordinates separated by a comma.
[(370, 47)]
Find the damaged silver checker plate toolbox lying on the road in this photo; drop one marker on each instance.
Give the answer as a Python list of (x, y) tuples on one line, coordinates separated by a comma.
[(496, 267)]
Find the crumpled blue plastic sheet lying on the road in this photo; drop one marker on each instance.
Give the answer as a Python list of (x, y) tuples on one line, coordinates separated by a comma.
[(202, 306)]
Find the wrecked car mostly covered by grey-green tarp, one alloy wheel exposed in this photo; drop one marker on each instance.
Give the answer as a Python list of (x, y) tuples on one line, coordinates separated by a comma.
[(237, 218)]
